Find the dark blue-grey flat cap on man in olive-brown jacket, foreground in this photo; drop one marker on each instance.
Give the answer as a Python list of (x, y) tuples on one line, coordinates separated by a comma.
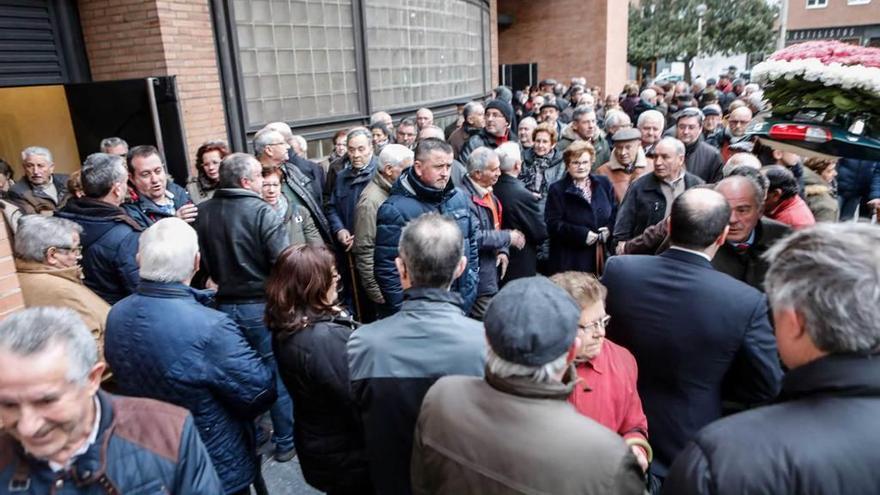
[(531, 321)]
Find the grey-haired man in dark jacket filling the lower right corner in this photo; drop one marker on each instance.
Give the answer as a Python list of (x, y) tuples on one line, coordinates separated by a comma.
[(822, 286)]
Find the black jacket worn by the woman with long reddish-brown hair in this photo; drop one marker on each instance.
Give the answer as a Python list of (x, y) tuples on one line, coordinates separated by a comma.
[(327, 429)]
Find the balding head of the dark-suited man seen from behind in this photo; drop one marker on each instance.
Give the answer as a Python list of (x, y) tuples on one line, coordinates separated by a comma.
[(698, 220)]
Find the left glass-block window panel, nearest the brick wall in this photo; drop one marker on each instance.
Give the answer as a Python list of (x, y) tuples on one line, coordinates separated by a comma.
[(297, 58)]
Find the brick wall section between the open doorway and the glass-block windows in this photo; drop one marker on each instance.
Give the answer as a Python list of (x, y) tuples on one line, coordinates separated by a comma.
[(141, 38)]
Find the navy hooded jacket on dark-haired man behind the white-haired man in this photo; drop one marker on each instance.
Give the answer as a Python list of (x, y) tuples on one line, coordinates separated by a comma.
[(110, 243)]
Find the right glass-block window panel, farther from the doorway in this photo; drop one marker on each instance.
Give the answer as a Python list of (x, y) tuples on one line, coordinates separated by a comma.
[(423, 51)]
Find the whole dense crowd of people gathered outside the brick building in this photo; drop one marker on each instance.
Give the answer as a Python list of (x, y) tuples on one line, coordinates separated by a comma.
[(557, 293)]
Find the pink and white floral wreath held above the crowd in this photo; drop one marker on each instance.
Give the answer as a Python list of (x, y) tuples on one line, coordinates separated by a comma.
[(824, 81)]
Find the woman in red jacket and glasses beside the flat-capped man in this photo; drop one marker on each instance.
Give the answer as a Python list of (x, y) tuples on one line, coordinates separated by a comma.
[(608, 373)]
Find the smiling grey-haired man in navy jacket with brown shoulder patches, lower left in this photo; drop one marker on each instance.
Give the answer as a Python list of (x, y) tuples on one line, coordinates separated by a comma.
[(62, 435)]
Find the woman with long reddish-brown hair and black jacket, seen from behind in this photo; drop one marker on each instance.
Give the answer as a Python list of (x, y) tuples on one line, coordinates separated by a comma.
[(309, 336)]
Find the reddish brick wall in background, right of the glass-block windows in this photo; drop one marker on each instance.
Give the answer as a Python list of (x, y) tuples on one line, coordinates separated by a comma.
[(567, 38)]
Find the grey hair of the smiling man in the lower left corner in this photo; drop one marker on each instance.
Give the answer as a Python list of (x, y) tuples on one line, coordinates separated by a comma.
[(33, 330)]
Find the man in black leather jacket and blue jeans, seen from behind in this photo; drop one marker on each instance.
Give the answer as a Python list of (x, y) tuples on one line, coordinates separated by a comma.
[(240, 268)]
